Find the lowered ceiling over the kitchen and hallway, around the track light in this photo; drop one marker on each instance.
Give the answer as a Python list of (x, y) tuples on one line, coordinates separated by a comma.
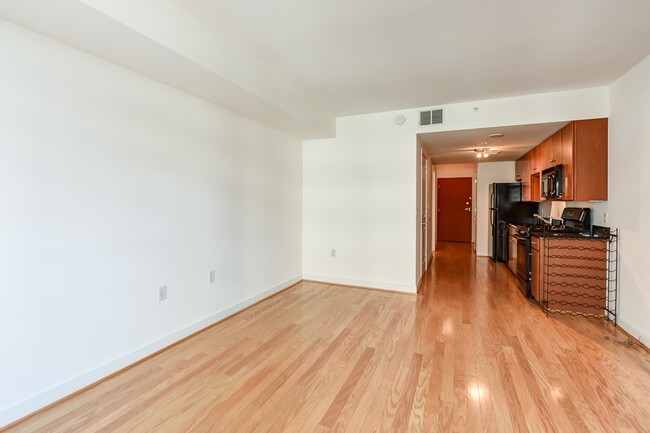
[(457, 147)]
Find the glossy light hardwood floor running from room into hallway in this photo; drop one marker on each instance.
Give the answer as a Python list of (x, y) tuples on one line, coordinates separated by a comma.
[(469, 354)]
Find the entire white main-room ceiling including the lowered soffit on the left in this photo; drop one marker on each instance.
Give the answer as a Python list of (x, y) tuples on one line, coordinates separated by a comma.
[(296, 65)]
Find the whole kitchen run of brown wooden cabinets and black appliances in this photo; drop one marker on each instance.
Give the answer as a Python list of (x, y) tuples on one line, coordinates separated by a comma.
[(541, 226)]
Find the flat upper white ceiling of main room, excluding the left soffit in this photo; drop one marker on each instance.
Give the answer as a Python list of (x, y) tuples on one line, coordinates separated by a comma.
[(367, 56)]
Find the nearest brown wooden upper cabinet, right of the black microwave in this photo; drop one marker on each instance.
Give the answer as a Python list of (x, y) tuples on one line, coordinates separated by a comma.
[(584, 154)]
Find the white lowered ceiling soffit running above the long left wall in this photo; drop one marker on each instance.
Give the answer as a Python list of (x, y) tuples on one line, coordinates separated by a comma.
[(172, 43)]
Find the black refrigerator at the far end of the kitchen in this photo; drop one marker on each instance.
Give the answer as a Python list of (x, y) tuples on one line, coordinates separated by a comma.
[(506, 207)]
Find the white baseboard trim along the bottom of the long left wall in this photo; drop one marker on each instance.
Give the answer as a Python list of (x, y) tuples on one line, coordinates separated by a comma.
[(57, 394)]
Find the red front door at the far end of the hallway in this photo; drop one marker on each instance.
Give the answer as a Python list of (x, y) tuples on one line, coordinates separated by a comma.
[(455, 209)]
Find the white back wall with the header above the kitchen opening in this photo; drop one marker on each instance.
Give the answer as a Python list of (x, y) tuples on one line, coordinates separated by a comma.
[(360, 188)]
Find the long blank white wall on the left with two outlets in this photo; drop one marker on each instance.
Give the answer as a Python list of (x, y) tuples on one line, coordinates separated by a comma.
[(112, 185)]
